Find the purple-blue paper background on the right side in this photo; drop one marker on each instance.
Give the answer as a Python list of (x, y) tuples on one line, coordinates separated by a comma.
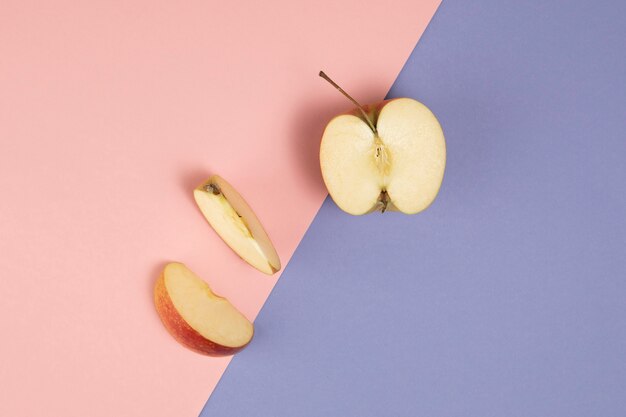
[(508, 296)]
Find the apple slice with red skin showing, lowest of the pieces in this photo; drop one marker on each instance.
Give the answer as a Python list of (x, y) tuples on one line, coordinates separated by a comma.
[(198, 318)]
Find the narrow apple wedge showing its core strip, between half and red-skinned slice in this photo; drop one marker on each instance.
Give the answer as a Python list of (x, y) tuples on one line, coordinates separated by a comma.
[(235, 222)]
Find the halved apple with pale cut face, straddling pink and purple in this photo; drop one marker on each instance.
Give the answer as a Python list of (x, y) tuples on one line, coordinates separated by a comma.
[(399, 166)]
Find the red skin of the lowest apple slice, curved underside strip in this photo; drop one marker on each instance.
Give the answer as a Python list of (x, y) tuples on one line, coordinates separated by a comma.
[(181, 331)]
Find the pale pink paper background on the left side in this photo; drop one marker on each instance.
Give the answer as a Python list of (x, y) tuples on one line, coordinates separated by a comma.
[(110, 113)]
